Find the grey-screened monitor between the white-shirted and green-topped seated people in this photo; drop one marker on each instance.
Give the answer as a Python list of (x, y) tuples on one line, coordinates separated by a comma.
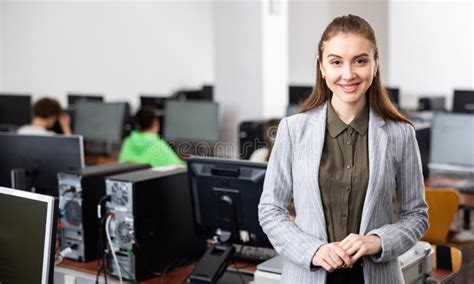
[(100, 122)]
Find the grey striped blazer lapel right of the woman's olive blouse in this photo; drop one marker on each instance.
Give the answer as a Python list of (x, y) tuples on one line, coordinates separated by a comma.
[(377, 145)]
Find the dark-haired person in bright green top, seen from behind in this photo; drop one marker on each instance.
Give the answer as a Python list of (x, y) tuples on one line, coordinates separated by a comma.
[(144, 146)]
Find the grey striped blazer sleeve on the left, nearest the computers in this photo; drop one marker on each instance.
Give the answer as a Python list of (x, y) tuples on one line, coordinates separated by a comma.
[(286, 237)]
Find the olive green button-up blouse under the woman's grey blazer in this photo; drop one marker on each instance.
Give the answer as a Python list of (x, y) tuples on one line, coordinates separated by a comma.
[(344, 173)]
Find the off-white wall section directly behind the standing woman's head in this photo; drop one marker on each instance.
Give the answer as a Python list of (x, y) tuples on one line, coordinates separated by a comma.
[(307, 21)]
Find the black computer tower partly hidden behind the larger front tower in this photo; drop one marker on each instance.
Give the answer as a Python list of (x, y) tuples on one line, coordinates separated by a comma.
[(79, 193)]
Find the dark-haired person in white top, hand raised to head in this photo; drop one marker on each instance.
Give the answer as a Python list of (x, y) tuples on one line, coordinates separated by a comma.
[(46, 112)]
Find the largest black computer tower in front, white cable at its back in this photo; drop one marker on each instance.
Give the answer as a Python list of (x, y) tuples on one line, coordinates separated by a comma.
[(151, 226)]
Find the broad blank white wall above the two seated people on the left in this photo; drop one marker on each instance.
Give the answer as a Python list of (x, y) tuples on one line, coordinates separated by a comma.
[(117, 48)]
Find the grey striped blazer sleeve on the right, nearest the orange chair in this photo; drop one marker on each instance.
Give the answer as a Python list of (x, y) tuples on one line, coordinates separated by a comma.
[(413, 222)]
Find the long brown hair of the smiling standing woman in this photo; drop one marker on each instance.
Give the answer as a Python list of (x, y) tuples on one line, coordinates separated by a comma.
[(377, 95)]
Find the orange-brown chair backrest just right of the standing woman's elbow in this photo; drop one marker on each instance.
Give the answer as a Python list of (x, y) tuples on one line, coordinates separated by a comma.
[(442, 207)]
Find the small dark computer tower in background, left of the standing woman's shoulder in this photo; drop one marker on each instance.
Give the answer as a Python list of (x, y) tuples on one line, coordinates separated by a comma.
[(250, 137)]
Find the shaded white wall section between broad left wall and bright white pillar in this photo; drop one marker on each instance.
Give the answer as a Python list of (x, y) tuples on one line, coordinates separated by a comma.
[(238, 69)]
